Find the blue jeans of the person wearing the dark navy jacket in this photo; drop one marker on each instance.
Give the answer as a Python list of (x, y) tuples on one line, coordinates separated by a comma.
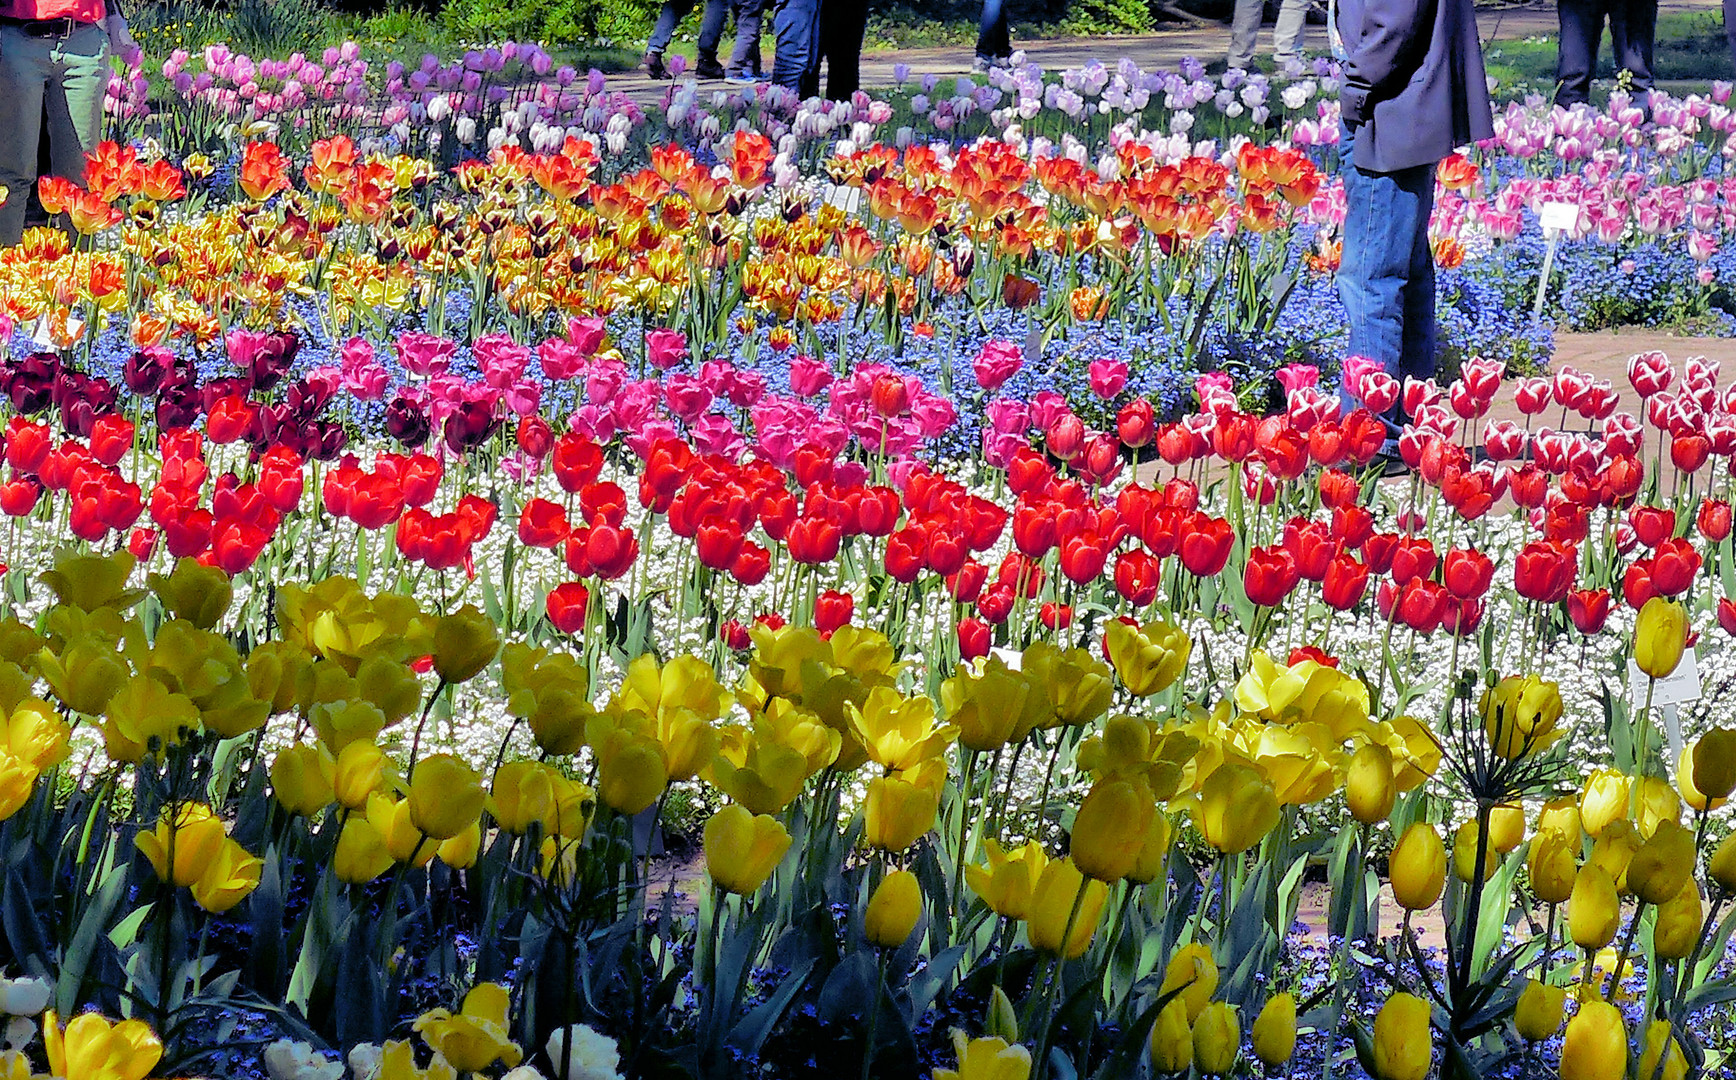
[(1386, 277)]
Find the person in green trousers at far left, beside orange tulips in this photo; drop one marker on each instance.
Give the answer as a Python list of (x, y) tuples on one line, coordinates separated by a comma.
[(53, 77)]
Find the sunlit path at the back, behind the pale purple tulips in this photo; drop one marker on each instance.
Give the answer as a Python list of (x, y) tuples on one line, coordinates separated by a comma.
[(1162, 49)]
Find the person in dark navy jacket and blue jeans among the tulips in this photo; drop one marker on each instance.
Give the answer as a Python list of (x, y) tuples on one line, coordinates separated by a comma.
[(1414, 91)]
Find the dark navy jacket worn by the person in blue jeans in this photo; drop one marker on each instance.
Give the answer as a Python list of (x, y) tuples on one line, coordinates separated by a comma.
[(1414, 86)]
